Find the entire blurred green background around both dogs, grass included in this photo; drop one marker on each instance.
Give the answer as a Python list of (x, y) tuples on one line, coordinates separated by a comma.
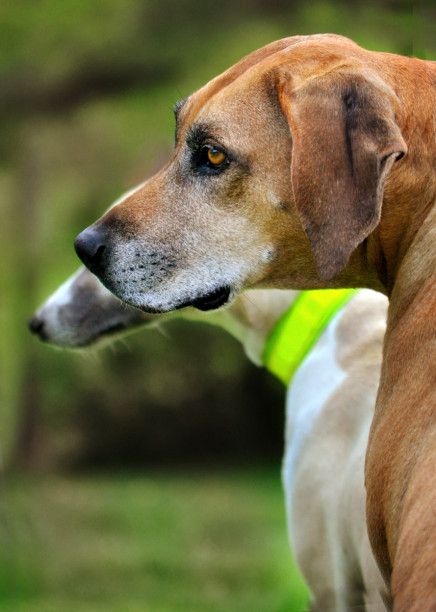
[(144, 476)]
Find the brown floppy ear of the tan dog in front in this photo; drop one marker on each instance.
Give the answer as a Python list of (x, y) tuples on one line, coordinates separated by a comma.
[(344, 142)]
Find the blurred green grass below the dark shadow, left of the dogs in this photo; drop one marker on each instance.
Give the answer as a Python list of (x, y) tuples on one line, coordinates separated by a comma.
[(153, 542)]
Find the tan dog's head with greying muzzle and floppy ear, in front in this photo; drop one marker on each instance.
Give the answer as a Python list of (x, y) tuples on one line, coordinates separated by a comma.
[(276, 178)]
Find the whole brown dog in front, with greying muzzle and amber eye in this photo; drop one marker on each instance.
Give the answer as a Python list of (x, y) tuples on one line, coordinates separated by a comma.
[(284, 175)]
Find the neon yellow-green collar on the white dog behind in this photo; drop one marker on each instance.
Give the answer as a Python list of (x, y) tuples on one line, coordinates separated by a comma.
[(300, 327)]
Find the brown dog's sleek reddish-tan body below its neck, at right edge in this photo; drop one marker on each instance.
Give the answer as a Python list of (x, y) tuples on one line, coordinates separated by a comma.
[(400, 470)]
